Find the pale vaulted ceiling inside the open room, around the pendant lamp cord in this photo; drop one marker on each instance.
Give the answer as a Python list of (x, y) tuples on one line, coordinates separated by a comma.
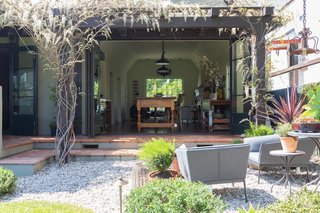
[(122, 55)]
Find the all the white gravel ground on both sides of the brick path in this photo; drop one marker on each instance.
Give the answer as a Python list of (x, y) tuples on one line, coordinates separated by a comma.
[(90, 185)]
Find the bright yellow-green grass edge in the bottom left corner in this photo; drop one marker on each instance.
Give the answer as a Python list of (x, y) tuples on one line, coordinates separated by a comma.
[(41, 207)]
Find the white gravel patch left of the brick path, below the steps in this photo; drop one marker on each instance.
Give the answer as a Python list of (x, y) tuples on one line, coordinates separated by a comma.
[(85, 184)]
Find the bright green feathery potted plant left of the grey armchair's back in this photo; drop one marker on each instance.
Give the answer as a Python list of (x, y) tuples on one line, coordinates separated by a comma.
[(158, 154)]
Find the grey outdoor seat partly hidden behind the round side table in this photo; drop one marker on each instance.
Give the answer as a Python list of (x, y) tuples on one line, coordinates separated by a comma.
[(261, 146)]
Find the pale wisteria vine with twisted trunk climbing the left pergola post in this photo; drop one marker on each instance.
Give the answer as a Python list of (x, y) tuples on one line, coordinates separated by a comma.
[(58, 29)]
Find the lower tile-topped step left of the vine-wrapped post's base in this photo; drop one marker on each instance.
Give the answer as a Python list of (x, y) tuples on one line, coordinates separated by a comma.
[(27, 163)]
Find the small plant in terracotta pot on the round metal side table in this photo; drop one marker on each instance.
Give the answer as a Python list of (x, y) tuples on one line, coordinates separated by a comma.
[(288, 143)]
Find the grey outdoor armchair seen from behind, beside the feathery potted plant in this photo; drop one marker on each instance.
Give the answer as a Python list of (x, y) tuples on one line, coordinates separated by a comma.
[(214, 164)]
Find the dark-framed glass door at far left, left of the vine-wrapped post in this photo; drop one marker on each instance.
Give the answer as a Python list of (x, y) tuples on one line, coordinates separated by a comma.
[(23, 87)]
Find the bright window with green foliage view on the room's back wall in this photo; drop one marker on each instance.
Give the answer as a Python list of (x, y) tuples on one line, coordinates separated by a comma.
[(166, 87)]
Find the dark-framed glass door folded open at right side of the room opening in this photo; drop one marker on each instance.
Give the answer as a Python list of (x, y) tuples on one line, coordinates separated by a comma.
[(240, 63)]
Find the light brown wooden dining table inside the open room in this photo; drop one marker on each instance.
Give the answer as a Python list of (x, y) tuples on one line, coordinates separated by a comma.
[(166, 102)]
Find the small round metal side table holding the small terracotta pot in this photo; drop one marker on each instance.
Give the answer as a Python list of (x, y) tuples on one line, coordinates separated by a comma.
[(287, 159)]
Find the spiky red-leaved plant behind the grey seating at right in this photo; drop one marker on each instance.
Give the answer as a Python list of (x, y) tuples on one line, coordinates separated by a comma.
[(286, 110)]
